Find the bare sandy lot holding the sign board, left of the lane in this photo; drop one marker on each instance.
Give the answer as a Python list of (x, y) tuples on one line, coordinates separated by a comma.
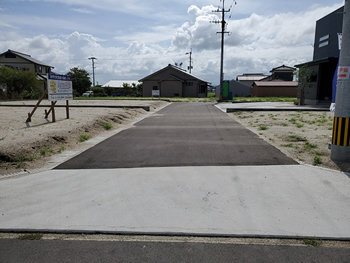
[(30, 145)]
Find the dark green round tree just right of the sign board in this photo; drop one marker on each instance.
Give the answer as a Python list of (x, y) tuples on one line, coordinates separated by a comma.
[(80, 80)]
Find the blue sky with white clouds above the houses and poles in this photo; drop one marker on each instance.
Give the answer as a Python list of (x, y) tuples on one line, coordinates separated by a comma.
[(134, 38)]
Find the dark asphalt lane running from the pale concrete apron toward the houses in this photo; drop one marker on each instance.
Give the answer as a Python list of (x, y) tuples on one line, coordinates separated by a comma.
[(182, 134)]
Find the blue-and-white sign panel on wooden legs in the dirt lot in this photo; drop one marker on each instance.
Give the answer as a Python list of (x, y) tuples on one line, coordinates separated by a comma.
[(59, 87)]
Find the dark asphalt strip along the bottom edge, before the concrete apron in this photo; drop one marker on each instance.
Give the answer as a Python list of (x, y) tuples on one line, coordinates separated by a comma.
[(12, 250)]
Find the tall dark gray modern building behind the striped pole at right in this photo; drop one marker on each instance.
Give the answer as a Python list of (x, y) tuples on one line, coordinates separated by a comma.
[(325, 59)]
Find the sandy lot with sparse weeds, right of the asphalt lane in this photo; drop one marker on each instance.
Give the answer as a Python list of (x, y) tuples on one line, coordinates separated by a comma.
[(303, 136)]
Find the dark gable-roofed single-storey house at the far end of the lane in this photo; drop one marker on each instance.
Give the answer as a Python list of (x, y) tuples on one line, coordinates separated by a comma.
[(173, 81)]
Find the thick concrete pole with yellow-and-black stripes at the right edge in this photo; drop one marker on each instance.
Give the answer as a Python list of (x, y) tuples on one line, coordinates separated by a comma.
[(341, 133)]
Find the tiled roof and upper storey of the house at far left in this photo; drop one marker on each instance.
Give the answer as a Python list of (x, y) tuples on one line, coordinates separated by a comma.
[(24, 62)]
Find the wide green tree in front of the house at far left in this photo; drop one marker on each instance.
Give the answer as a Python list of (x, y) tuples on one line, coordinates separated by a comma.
[(17, 82)]
